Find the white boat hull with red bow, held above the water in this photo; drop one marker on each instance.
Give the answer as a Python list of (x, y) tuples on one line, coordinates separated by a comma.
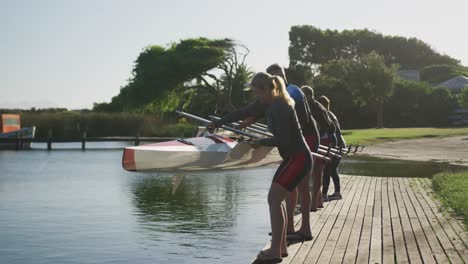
[(207, 153)]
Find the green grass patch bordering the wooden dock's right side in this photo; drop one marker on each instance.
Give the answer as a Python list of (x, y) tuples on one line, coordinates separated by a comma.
[(451, 189)]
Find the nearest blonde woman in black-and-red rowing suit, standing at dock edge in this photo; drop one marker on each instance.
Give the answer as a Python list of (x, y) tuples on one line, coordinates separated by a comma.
[(297, 161)]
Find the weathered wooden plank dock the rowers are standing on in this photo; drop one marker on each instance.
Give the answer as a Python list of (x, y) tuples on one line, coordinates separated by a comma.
[(382, 220)]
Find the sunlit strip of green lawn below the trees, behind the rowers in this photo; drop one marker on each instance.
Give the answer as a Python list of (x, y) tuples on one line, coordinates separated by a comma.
[(374, 135)]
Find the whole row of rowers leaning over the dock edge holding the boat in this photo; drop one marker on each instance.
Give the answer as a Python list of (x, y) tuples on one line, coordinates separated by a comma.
[(299, 124)]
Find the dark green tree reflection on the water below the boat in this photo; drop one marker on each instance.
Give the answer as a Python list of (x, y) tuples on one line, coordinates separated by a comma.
[(202, 203)]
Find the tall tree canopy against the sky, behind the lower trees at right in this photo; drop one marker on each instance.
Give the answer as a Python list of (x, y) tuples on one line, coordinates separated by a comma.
[(311, 47)]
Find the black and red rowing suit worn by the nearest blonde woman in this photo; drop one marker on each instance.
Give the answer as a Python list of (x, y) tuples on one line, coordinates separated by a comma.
[(287, 137)]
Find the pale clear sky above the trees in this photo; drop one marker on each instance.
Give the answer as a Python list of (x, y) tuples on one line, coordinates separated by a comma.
[(72, 54)]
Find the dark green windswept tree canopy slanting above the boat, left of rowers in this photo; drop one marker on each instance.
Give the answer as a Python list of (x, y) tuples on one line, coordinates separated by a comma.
[(159, 70)]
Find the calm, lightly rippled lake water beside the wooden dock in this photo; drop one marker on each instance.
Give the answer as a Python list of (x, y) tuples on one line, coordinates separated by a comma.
[(69, 206)]
